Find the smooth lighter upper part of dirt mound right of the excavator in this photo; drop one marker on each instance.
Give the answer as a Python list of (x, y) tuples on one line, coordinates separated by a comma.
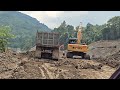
[(102, 49)]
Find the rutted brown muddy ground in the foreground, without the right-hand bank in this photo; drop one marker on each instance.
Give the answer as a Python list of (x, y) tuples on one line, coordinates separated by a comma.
[(22, 66)]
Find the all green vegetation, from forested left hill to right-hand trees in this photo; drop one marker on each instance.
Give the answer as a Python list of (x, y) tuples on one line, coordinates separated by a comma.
[(25, 27)]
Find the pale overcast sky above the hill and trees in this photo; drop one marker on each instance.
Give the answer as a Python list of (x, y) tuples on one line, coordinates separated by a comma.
[(54, 18)]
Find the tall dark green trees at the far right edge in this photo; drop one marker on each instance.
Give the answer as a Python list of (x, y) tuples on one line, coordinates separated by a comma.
[(112, 29)]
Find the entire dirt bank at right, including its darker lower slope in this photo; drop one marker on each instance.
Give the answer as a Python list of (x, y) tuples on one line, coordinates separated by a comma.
[(106, 52)]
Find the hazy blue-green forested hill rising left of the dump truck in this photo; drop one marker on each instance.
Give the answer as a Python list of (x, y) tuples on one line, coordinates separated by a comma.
[(23, 27)]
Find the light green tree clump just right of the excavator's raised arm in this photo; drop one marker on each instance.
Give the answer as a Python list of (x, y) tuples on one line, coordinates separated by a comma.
[(92, 33)]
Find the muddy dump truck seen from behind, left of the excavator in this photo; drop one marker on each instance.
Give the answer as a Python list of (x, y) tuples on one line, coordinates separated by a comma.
[(47, 45)]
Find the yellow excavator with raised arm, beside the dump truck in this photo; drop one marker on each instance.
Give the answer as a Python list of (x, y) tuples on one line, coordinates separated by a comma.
[(75, 47)]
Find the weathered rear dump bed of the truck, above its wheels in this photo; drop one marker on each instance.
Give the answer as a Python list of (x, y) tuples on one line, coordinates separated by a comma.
[(48, 39)]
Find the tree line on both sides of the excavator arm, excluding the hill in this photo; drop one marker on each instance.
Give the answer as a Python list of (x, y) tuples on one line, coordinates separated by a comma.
[(91, 33)]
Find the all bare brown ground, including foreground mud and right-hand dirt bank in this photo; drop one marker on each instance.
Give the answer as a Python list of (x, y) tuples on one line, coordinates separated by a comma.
[(105, 59)]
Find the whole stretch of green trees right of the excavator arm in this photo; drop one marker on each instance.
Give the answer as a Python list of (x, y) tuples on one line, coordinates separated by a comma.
[(109, 31)]
